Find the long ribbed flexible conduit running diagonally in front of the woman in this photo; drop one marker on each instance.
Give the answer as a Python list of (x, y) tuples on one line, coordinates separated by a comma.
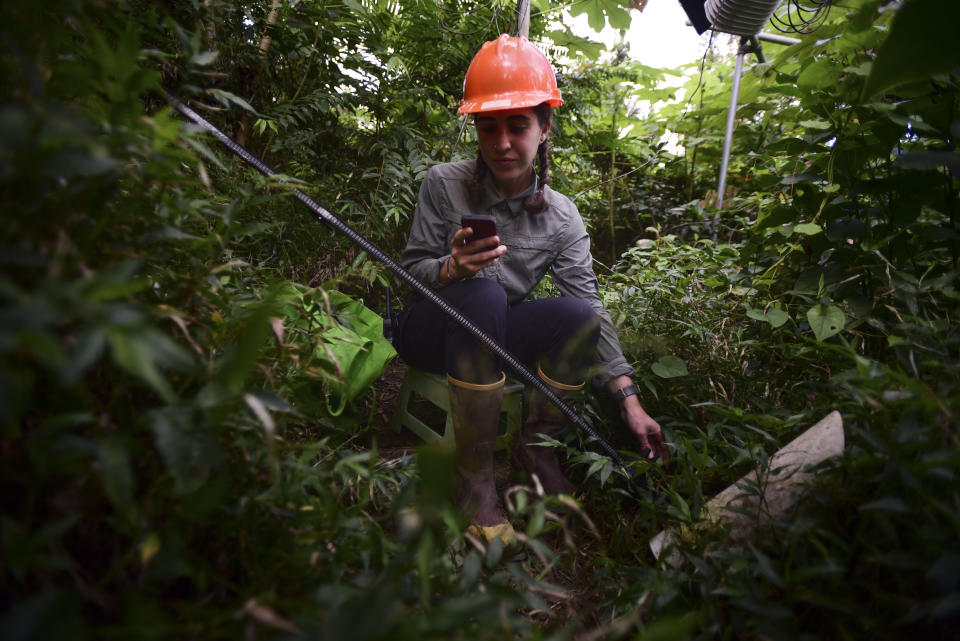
[(325, 216)]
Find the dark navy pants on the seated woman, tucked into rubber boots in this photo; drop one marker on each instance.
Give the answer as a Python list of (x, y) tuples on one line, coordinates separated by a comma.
[(558, 334)]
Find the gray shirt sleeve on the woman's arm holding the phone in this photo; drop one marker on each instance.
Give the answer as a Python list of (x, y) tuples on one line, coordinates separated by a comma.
[(427, 247)]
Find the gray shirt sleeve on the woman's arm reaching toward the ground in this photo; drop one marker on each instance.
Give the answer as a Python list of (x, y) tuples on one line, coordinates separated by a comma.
[(573, 275)]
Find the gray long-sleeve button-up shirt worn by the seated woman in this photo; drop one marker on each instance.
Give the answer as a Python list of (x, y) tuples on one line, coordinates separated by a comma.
[(556, 240)]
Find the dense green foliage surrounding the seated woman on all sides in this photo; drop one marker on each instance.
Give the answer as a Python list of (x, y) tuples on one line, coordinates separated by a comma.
[(170, 466)]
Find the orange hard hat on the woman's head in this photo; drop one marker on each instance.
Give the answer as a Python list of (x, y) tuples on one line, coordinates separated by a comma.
[(508, 73)]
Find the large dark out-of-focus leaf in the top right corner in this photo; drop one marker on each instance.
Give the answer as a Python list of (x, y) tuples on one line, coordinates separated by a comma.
[(921, 44)]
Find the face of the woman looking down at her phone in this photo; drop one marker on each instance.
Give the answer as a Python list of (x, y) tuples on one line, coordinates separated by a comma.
[(508, 143)]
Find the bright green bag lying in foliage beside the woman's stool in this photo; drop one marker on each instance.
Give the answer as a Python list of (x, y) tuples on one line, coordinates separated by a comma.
[(350, 343)]
